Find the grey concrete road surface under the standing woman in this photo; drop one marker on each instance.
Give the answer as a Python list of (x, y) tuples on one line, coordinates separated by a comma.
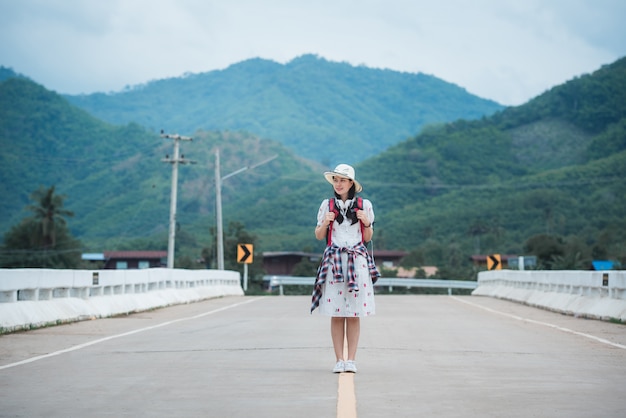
[(420, 356)]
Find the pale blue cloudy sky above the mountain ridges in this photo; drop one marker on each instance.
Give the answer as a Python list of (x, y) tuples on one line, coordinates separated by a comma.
[(508, 51)]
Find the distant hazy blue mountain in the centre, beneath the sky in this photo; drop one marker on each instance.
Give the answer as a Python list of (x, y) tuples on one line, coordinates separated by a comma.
[(315, 107)]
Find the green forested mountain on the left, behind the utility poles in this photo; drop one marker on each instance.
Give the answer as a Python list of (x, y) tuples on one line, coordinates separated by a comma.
[(113, 176)]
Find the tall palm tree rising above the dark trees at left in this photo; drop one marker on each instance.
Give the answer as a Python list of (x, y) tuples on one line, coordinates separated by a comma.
[(48, 212)]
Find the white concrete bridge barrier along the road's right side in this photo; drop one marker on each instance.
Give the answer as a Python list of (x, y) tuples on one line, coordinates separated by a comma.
[(590, 294)]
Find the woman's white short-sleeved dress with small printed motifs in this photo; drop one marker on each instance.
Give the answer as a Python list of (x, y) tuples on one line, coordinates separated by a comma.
[(336, 300)]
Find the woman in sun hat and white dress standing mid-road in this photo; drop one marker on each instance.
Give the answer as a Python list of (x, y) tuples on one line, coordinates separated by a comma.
[(347, 293)]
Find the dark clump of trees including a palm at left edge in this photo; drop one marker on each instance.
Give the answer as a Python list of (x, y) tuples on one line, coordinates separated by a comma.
[(42, 240)]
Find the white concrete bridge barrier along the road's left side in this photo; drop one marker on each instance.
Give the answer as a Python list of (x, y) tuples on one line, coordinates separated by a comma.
[(31, 298)]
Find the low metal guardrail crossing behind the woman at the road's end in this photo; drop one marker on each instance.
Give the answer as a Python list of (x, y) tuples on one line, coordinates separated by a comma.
[(391, 282)]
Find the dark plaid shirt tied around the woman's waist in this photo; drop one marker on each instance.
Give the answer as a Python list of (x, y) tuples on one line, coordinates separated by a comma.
[(332, 259)]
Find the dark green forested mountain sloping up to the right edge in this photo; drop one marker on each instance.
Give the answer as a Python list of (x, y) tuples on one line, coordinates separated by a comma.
[(554, 166)]
